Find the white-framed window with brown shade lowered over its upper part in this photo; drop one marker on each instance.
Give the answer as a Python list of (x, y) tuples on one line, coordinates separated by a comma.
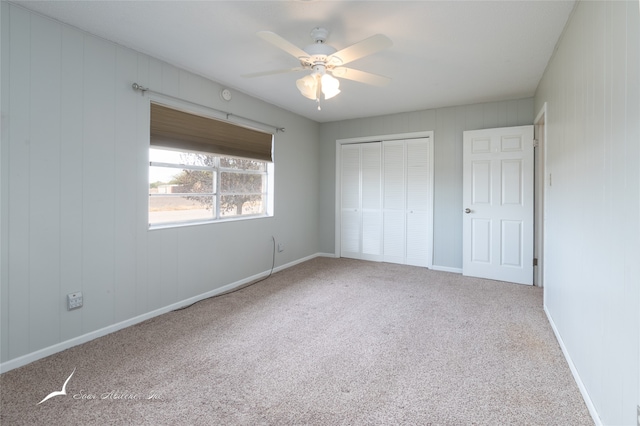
[(190, 182)]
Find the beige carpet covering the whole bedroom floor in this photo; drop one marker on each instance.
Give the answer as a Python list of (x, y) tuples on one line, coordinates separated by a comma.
[(327, 342)]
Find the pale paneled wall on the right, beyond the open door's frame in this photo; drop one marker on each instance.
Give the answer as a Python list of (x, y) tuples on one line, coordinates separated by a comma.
[(592, 247)]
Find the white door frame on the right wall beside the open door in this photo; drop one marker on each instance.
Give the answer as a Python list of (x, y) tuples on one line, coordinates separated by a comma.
[(541, 186)]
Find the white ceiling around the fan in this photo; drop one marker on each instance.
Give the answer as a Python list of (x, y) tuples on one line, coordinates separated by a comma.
[(444, 53)]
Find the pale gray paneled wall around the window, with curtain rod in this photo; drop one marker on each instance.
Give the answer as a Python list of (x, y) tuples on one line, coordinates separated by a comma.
[(74, 173)]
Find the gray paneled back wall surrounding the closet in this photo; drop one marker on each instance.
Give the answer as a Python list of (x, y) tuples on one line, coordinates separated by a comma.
[(448, 125)]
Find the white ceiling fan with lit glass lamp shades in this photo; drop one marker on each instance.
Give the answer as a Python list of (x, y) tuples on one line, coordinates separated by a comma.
[(326, 63)]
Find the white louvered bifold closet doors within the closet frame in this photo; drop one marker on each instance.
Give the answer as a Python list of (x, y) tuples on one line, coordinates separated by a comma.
[(385, 201)]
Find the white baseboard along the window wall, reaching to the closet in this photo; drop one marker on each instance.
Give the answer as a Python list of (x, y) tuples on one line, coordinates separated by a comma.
[(59, 347)]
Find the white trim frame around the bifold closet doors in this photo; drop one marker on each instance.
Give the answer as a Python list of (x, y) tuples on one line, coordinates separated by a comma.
[(381, 138)]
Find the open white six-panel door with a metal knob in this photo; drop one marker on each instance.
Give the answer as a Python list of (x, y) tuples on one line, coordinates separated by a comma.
[(498, 204)]
